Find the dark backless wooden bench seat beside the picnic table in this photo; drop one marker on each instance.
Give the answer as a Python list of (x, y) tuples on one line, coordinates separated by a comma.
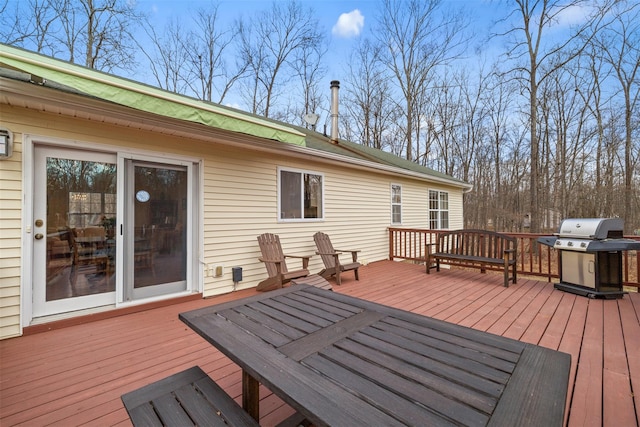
[(187, 398)]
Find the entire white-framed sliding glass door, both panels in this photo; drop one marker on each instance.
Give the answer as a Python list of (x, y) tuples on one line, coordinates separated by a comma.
[(109, 229)]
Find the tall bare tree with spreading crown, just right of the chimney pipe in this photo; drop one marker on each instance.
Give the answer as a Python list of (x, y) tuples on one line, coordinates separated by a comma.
[(419, 36)]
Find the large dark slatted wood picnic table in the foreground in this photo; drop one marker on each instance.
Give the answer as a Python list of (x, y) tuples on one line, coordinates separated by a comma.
[(343, 361)]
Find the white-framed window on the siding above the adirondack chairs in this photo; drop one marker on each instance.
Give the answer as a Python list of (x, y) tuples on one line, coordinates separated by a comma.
[(301, 195)]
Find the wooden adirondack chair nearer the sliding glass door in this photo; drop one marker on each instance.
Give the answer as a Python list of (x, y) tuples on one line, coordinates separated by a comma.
[(274, 260)]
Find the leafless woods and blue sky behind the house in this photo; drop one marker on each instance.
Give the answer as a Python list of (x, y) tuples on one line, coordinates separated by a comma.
[(538, 110)]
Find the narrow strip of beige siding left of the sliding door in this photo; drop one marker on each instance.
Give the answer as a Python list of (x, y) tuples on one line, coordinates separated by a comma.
[(10, 243)]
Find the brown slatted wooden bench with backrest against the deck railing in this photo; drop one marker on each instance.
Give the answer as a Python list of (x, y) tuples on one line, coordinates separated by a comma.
[(474, 248)]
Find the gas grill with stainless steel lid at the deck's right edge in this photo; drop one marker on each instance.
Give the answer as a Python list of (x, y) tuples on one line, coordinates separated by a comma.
[(591, 256)]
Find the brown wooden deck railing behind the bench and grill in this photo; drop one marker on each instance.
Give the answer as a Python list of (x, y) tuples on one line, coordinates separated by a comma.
[(534, 259)]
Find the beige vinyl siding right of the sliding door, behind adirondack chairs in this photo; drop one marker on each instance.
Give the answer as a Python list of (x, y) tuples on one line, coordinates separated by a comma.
[(357, 213)]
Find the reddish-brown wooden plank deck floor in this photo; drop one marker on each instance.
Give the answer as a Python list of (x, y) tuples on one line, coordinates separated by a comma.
[(75, 375)]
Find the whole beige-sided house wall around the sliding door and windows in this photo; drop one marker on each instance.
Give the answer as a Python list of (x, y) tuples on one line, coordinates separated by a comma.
[(240, 202)]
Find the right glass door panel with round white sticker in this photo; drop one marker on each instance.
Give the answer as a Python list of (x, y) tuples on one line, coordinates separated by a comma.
[(156, 237)]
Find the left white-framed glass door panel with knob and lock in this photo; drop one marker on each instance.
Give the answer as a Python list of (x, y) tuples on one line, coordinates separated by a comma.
[(74, 242)]
